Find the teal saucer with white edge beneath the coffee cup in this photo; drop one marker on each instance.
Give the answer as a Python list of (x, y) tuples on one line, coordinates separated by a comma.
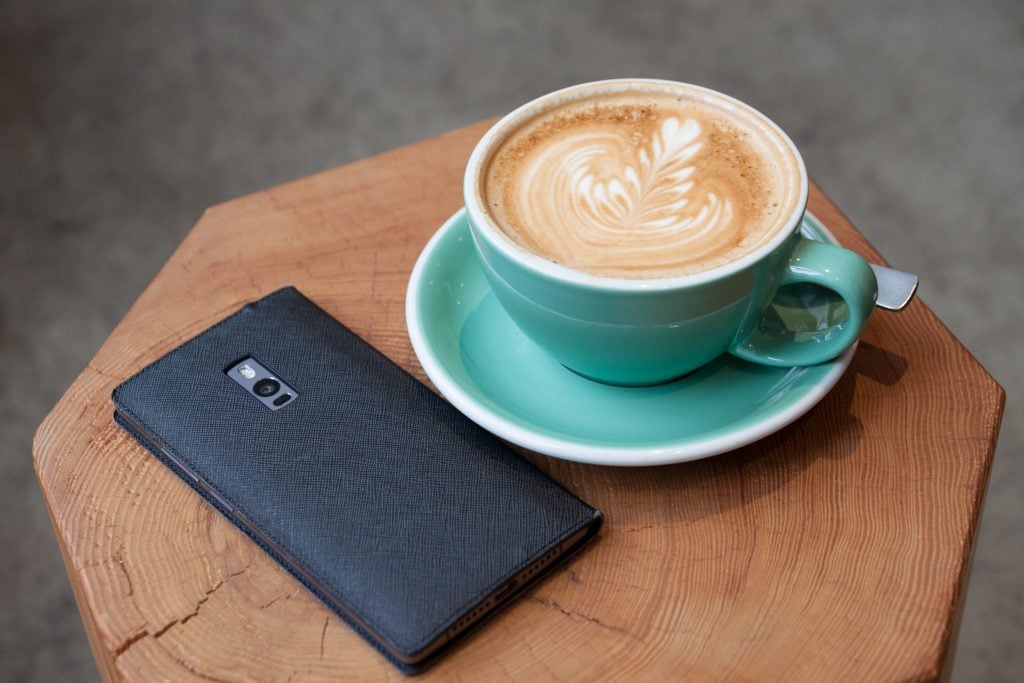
[(494, 374)]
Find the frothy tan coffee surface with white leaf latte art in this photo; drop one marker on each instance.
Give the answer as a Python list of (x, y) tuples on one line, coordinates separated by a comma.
[(642, 184)]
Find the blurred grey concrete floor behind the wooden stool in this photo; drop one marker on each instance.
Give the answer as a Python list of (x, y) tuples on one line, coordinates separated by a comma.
[(120, 121)]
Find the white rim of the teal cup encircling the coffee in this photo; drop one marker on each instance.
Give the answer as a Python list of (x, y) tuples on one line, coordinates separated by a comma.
[(485, 227)]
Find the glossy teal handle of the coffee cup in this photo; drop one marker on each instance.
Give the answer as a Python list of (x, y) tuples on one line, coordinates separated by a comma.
[(832, 268)]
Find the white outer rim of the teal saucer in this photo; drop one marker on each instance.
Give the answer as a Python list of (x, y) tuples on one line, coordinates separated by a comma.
[(652, 455)]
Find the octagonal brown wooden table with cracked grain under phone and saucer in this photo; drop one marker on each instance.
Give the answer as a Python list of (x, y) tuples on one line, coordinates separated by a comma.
[(838, 549)]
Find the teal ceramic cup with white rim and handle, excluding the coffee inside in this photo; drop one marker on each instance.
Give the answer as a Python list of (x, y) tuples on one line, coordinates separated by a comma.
[(644, 332)]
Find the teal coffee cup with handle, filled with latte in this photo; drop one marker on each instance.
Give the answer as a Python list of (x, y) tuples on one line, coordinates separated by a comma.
[(614, 223)]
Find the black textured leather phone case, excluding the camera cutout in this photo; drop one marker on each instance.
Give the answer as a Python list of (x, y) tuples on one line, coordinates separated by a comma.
[(405, 511)]
